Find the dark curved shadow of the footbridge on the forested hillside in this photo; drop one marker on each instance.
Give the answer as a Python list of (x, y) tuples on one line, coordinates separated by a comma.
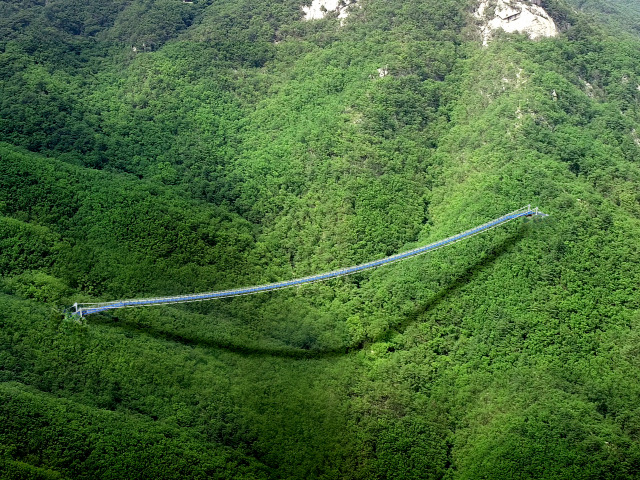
[(462, 279)]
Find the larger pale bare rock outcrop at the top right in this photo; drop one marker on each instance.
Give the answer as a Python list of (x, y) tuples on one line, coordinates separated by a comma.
[(515, 16)]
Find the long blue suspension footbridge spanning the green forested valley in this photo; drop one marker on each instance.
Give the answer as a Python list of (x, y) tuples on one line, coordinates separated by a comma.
[(83, 309)]
